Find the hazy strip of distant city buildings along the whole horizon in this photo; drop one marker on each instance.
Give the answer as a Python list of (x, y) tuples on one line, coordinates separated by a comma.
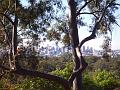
[(56, 50)]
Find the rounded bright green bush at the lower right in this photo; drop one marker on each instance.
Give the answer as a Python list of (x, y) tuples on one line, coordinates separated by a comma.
[(104, 79)]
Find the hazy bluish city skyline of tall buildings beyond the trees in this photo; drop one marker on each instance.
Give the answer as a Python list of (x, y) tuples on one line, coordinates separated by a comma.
[(86, 51)]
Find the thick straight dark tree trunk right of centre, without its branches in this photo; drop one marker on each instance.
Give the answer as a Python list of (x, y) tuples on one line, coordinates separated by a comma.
[(75, 42)]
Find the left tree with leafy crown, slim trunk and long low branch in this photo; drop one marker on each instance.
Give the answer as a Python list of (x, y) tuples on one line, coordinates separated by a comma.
[(36, 16)]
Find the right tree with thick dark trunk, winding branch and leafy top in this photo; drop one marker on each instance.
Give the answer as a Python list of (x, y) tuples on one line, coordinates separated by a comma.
[(103, 19)]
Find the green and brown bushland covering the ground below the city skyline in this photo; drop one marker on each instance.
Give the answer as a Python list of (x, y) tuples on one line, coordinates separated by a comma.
[(98, 75)]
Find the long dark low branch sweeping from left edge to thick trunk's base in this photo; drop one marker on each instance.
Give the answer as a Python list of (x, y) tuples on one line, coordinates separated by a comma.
[(22, 71)]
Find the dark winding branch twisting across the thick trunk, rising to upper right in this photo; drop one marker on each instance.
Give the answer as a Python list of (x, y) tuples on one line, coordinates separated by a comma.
[(92, 36)]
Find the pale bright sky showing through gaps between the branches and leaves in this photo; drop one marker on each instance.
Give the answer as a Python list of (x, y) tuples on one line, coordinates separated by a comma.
[(96, 43)]
